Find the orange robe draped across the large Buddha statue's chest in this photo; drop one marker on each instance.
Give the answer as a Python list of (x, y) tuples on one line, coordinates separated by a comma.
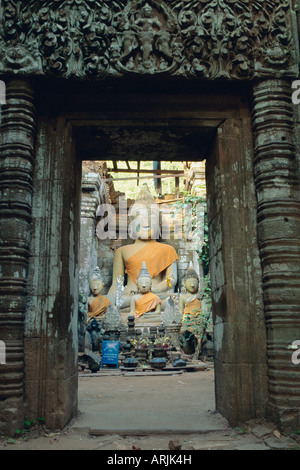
[(157, 256)]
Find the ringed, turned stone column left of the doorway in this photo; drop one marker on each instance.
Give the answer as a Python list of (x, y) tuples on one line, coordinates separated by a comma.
[(16, 172)]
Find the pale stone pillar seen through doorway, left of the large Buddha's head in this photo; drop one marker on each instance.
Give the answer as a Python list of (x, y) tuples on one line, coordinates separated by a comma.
[(90, 199)]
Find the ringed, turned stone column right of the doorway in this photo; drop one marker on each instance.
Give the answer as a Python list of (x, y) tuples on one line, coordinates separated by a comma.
[(277, 187)]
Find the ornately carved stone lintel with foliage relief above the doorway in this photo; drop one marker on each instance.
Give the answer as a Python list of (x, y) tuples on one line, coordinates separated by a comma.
[(195, 38)]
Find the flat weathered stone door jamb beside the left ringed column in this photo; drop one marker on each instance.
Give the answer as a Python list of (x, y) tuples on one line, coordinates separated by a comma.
[(51, 344)]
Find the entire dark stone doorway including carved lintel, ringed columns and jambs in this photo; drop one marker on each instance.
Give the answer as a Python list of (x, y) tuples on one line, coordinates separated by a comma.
[(196, 73)]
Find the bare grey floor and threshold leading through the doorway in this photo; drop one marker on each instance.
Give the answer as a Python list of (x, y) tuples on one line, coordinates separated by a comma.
[(120, 412)]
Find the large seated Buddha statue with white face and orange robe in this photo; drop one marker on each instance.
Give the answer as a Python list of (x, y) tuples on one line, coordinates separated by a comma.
[(161, 259)]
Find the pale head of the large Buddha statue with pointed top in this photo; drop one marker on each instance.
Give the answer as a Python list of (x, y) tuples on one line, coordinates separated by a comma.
[(144, 216)]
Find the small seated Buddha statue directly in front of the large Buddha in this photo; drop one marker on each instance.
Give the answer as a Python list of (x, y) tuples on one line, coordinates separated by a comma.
[(145, 301)]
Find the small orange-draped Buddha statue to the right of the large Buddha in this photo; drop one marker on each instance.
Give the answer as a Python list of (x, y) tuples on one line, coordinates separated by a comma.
[(190, 301)]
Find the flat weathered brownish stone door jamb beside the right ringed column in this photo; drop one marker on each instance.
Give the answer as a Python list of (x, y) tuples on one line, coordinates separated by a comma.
[(236, 276)]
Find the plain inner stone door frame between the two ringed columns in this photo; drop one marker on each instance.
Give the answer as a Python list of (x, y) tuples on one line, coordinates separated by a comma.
[(70, 129)]
